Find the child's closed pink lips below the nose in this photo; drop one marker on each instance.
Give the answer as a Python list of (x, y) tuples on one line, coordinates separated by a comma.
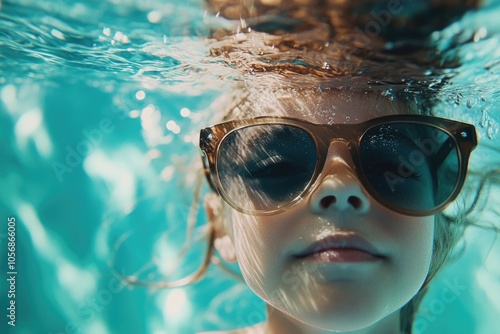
[(341, 248)]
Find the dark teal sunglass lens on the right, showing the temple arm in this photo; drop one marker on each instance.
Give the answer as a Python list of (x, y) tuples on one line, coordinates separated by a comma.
[(411, 166)]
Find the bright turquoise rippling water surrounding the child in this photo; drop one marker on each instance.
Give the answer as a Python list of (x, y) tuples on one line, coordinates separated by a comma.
[(100, 105)]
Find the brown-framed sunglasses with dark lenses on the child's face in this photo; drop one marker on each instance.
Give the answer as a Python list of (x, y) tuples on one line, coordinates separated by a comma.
[(412, 164)]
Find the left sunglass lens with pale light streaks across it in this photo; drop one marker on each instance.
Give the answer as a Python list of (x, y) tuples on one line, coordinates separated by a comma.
[(266, 166)]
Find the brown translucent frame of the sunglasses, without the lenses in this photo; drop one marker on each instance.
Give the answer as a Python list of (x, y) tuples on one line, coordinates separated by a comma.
[(463, 135)]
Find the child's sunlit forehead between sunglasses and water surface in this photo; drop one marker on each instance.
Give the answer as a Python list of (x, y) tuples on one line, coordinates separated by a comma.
[(326, 106)]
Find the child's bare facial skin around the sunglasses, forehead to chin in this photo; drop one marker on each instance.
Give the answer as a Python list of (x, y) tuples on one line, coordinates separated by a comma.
[(332, 289)]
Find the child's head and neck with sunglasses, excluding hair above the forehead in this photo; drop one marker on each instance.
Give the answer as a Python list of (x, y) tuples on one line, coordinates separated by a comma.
[(330, 205)]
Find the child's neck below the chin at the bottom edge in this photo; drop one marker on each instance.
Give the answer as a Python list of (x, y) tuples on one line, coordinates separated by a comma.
[(279, 323)]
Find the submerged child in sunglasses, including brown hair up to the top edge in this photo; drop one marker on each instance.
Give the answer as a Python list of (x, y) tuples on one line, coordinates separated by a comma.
[(328, 180)]
